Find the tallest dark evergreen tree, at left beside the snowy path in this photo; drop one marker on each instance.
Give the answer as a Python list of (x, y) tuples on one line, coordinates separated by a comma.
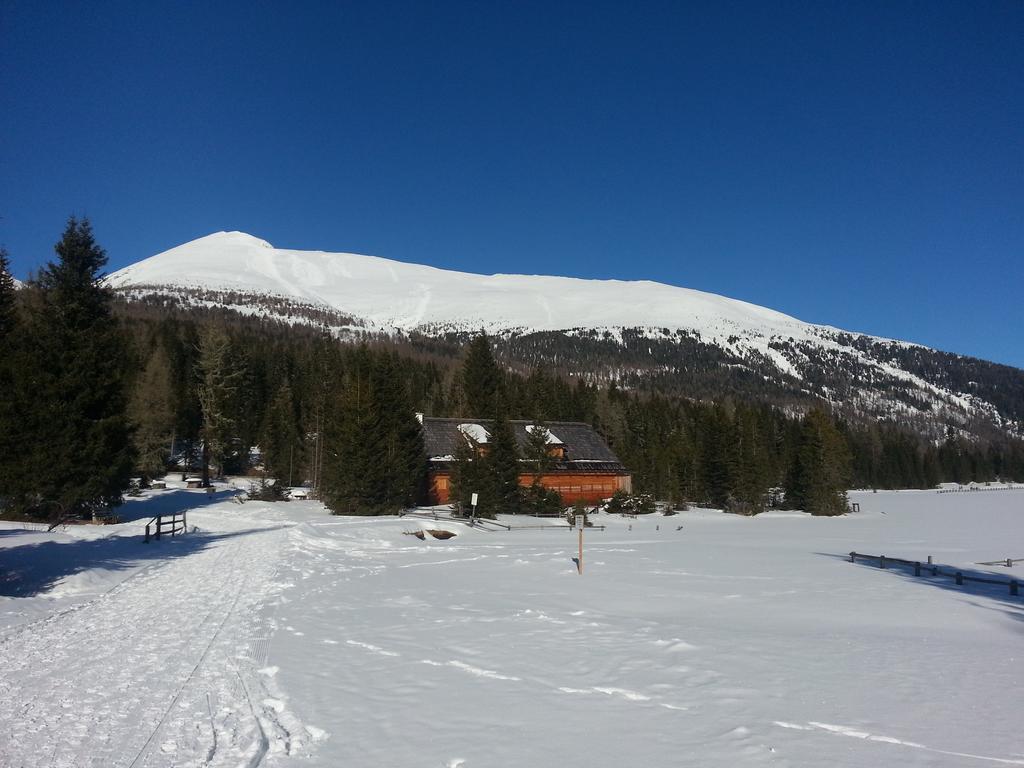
[(80, 456)]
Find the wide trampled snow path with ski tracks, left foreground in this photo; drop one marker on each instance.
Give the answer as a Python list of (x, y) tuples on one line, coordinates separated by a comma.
[(160, 671)]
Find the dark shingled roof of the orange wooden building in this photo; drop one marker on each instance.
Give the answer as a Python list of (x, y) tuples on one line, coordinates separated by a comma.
[(582, 443)]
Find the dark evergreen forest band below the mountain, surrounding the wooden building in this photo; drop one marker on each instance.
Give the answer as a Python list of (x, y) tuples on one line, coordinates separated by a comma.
[(98, 392)]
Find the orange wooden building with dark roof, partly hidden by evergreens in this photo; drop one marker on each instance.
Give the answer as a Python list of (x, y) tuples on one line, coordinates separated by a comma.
[(583, 470)]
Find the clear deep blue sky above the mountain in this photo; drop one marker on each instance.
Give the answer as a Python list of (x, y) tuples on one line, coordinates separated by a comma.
[(855, 164)]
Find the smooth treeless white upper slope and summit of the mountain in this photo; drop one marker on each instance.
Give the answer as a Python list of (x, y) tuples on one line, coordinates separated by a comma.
[(395, 294)]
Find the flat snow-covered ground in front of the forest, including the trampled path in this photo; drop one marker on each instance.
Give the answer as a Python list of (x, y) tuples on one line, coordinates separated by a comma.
[(277, 634)]
